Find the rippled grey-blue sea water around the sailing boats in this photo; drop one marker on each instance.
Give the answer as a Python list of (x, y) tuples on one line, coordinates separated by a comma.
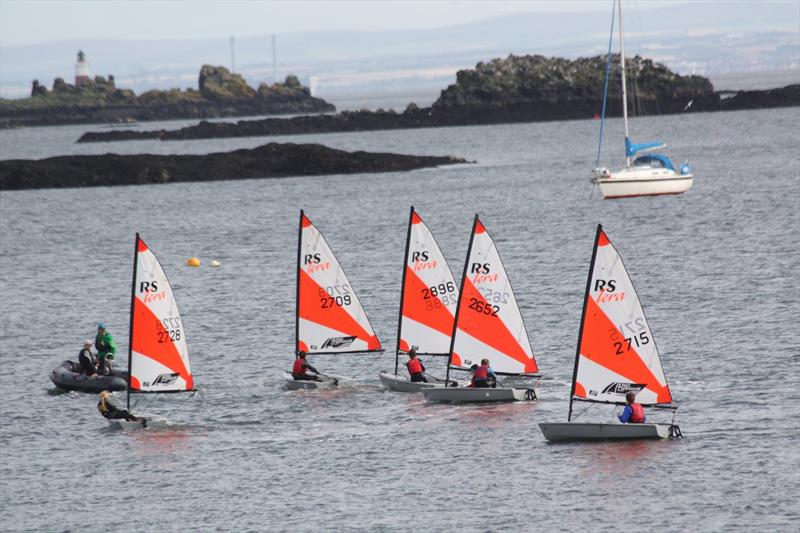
[(717, 270)]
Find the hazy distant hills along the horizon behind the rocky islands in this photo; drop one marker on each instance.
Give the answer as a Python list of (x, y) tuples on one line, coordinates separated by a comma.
[(693, 37)]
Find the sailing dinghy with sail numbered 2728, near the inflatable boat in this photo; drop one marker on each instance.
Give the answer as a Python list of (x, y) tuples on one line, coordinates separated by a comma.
[(158, 356)]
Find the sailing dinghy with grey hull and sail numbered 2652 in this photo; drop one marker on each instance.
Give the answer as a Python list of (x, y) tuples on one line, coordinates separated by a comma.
[(488, 324)]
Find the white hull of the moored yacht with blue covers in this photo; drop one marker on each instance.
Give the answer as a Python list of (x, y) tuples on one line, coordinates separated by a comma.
[(634, 181)]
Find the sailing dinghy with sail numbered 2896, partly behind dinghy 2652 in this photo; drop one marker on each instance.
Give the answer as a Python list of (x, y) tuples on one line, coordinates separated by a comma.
[(428, 299)]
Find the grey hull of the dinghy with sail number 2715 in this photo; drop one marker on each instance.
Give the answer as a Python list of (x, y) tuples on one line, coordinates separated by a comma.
[(578, 431)]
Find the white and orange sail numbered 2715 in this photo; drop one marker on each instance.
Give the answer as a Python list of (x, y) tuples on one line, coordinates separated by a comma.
[(616, 350)]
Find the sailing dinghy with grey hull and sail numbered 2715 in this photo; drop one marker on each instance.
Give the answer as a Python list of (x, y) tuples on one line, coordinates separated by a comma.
[(616, 354)]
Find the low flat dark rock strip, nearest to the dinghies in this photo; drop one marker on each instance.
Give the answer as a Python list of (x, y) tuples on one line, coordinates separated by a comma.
[(268, 161)]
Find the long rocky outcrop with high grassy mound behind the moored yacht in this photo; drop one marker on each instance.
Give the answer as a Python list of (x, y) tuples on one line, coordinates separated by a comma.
[(515, 89)]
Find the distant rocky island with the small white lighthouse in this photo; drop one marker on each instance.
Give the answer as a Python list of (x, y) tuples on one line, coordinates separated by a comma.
[(220, 94)]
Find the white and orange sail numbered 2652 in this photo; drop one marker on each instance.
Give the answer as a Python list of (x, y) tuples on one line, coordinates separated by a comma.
[(489, 323)]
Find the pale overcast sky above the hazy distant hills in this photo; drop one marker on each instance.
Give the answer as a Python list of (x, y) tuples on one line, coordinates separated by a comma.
[(25, 22)]
